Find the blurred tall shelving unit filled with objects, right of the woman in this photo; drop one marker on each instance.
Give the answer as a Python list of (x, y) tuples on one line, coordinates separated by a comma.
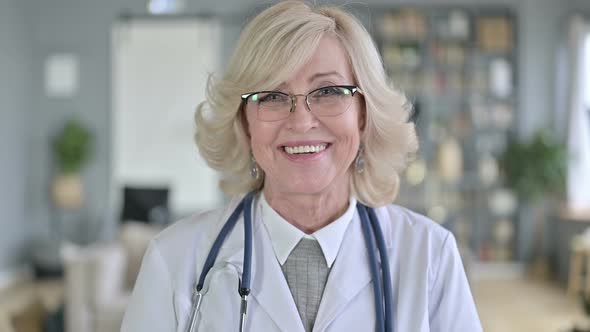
[(458, 66)]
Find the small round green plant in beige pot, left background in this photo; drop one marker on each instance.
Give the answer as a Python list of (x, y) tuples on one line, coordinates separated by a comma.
[(71, 150)]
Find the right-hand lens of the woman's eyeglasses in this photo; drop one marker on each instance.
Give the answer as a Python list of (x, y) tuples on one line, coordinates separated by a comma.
[(330, 101)]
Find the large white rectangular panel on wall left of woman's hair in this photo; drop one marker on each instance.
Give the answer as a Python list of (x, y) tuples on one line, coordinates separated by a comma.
[(160, 71)]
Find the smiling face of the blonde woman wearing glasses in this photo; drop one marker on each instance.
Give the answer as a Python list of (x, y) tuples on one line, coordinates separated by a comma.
[(274, 143)]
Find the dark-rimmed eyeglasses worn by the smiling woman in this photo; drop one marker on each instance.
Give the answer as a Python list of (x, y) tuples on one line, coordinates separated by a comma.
[(275, 105)]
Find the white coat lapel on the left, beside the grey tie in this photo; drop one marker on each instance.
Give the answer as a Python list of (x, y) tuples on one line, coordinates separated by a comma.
[(269, 287)]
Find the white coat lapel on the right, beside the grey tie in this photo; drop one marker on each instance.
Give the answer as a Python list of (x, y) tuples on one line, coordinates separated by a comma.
[(349, 275)]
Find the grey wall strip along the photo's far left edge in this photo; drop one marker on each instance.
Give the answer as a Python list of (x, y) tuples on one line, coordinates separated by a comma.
[(15, 79)]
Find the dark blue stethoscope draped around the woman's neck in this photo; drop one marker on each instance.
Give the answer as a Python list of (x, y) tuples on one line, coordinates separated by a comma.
[(382, 290)]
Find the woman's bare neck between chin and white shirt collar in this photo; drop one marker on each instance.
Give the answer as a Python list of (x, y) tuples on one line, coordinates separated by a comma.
[(309, 212)]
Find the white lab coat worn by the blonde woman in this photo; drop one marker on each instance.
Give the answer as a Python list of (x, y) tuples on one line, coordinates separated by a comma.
[(430, 289)]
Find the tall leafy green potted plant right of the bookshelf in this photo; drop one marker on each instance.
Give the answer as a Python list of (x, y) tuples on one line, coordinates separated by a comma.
[(535, 170)]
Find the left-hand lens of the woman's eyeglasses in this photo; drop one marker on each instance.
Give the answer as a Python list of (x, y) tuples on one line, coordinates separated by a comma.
[(270, 106)]
